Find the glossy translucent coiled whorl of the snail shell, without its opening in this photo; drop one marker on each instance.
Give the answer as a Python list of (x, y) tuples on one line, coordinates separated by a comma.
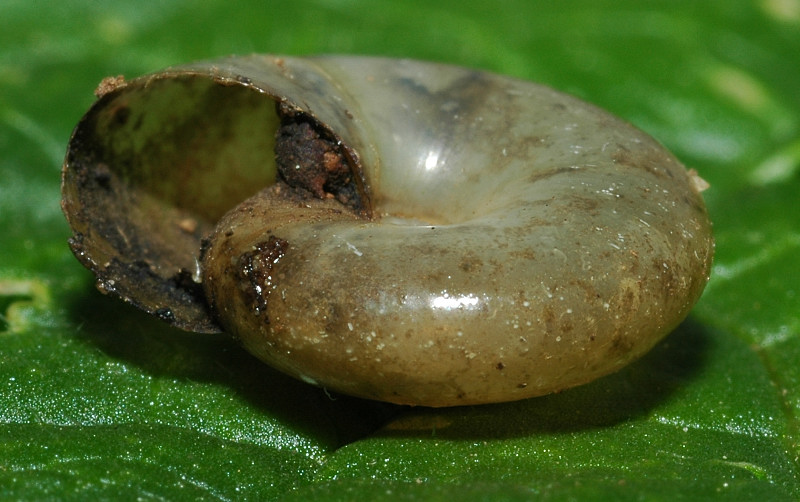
[(524, 242)]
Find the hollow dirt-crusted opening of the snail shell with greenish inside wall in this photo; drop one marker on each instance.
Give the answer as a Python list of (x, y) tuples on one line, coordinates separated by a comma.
[(153, 166)]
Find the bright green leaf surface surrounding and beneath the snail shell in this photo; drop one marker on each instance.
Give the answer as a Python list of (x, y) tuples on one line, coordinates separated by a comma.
[(98, 401)]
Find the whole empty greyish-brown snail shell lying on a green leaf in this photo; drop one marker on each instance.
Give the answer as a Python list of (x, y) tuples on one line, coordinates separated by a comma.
[(396, 230)]
